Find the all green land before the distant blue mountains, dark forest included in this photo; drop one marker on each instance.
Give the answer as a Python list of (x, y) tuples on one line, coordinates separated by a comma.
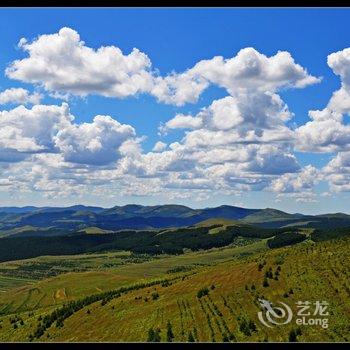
[(198, 283)]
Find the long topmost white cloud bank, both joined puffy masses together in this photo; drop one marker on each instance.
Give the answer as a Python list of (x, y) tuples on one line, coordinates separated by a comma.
[(63, 64)]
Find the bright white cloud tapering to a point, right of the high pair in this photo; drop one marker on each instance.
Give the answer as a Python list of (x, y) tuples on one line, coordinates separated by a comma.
[(248, 70)]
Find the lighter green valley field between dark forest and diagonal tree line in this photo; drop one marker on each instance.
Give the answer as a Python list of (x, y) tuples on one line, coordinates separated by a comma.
[(106, 271)]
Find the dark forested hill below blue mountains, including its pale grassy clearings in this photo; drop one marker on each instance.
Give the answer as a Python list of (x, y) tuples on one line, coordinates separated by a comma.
[(172, 241)]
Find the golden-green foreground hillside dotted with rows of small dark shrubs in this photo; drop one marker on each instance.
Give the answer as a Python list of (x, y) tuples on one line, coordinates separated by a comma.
[(225, 311)]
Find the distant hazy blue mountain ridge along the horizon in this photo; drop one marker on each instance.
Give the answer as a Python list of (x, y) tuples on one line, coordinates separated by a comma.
[(134, 216)]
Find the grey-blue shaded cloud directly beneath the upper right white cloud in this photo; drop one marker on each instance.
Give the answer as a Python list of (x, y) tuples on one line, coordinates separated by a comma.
[(253, 117)]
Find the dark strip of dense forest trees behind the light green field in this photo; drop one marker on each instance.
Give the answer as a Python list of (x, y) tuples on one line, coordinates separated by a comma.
[(139, 242)]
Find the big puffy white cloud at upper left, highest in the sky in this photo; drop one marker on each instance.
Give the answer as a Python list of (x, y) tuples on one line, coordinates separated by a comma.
[(61, 62)]
